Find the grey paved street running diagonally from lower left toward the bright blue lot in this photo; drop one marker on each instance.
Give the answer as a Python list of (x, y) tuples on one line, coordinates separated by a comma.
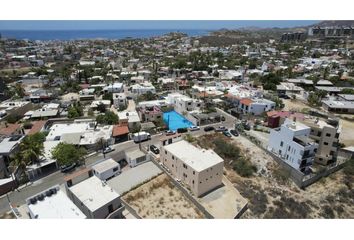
[(18, 198)]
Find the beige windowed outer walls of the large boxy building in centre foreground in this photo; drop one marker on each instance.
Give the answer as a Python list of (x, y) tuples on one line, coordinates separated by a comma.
[(199, 182)]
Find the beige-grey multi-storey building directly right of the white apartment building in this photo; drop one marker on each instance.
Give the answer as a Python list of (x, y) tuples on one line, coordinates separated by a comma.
[(327, 138)]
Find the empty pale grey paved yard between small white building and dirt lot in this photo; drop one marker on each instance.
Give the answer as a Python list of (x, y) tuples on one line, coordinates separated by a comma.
[(133, 177)]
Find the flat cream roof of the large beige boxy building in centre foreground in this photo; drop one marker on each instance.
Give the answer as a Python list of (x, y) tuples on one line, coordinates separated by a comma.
[(196, 158)]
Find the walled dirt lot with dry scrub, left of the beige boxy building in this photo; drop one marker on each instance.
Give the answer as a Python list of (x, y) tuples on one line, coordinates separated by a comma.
[(159, 198)]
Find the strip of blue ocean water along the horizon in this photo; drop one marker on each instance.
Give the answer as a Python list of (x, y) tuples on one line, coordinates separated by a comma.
[(94, 34)]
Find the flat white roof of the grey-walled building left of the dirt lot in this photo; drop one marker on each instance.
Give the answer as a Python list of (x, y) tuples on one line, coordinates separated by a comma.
[(93, 193)]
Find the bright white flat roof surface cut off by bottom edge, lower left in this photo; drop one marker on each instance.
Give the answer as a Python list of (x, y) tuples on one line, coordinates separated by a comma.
[(57, 206)]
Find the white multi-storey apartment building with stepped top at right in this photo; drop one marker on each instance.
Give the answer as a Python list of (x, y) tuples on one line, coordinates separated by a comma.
[(292, 143)]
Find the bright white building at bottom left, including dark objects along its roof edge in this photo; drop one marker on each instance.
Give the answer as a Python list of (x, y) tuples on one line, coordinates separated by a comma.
[(52, 204)]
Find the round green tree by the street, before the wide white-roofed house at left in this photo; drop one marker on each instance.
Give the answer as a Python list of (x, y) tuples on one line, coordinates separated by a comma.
[(66, 154)]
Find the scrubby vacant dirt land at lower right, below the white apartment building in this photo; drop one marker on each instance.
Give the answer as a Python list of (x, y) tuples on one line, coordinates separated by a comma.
[(271, 194)]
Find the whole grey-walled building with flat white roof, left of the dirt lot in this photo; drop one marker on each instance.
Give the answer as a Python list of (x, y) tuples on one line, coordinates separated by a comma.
[(94, 197)]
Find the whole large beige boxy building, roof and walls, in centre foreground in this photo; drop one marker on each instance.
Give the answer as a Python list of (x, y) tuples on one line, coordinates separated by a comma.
[(200, 169)]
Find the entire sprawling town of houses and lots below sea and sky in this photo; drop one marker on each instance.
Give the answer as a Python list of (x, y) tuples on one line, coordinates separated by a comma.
[(242, 123)]
